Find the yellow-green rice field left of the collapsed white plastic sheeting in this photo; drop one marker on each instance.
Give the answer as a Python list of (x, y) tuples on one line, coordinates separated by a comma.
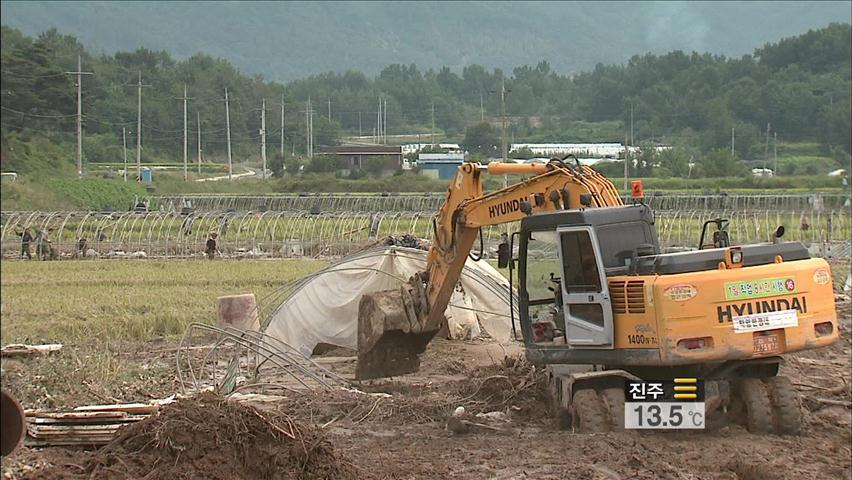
[(80, 302)]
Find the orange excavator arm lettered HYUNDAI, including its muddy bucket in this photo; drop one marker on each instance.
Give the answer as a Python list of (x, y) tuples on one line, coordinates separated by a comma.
[(394, 326)]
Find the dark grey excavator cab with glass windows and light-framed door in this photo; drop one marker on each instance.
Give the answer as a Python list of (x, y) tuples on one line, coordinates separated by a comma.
[(564, 259)]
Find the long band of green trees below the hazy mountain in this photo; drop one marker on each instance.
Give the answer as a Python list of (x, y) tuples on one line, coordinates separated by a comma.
[(798, 88)]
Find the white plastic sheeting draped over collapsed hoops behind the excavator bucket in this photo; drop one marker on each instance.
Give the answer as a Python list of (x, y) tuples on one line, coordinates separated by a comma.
[(325, 308)]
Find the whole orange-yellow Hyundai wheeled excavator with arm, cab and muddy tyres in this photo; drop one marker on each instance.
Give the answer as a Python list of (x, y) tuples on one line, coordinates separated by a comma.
[(600, 305)]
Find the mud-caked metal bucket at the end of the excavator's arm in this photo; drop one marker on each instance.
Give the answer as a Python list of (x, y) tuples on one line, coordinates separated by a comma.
[(389, 335)]
